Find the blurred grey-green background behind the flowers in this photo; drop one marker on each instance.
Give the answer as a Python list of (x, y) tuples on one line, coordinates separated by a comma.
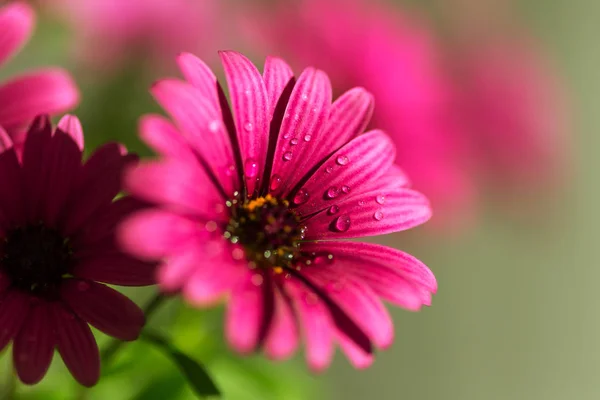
[(516, 313)]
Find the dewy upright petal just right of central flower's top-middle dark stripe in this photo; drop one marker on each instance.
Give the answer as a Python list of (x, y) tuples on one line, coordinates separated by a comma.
[(305, 118)]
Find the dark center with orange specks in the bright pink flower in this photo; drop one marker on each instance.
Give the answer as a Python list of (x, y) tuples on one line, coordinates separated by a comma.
[(267, 229)]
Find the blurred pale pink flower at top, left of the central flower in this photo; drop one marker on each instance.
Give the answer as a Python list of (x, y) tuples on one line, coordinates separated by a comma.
[(112, 32)]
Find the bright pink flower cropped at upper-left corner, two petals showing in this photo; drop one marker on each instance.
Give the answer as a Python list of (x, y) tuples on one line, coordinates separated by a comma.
[(47, 91)]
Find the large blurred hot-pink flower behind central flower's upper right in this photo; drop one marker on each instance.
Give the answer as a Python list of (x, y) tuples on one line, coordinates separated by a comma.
[(394, 55)]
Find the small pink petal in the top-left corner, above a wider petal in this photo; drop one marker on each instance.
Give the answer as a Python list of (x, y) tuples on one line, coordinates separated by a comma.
[(17, 21)]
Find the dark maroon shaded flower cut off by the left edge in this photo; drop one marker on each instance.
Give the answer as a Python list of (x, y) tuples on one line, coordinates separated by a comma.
[(57, 219)]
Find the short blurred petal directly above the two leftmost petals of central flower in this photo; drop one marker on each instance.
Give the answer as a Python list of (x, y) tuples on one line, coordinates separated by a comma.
[(162, 136)]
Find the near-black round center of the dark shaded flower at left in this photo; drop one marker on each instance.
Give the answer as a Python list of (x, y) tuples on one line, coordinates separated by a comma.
[(36, 259)]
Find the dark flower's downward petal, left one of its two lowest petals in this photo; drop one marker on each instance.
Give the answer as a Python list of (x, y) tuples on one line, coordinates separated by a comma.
[(33, 347)]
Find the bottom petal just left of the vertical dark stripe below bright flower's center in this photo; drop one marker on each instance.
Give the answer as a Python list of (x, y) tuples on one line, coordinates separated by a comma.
[(245, 313)]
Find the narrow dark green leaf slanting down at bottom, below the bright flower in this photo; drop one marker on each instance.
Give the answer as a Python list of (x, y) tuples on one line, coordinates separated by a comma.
[(195, 374)]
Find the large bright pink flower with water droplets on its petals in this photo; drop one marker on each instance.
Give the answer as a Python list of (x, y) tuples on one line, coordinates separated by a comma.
[(251, 205)]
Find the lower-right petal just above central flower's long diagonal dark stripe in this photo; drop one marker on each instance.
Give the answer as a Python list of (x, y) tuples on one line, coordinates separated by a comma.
[(358, 301)]
